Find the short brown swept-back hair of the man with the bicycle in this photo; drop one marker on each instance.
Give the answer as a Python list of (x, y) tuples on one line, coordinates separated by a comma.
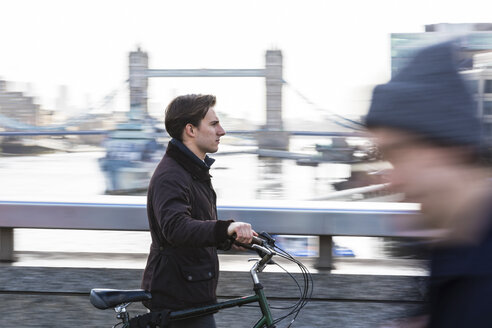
[(186, 109)]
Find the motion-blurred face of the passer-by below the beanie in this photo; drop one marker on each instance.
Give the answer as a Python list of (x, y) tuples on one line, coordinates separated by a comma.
[(422, 171)]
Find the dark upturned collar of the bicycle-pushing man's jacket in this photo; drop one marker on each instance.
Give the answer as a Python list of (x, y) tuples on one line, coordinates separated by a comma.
[(189, 161)]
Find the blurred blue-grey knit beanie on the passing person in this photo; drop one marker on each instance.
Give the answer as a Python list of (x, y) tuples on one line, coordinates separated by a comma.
[(428, 97)]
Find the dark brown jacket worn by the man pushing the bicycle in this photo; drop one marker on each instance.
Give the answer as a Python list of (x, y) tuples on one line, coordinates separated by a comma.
[(183, 268)]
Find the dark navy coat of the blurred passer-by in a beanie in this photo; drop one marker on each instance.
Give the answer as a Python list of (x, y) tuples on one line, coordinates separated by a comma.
[(461, 284)]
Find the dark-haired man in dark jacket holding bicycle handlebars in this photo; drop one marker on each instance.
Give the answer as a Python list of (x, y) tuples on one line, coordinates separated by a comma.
[(182, 269)]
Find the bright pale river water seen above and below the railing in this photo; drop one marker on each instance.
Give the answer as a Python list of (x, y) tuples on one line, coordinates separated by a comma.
[(235, 177)]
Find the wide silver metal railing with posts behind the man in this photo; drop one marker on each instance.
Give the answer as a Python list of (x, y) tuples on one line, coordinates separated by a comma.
[(314, 218)]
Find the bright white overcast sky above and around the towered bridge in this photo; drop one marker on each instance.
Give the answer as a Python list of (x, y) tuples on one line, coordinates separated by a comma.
[(332, 49)]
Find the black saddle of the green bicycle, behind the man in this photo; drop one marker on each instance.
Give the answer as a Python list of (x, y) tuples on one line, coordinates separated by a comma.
[(107, 298)]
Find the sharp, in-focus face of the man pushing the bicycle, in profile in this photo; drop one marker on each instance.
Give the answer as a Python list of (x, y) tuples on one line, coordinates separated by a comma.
[(208, 133)]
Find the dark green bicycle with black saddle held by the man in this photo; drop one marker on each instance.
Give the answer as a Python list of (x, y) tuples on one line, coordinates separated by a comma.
[(264, 245)]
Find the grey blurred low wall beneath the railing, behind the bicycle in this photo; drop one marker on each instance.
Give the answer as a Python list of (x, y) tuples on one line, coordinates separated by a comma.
[(58, 297)]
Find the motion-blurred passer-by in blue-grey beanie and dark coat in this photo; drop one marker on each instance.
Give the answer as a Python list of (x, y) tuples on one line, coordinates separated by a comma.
[(425, 123)]
